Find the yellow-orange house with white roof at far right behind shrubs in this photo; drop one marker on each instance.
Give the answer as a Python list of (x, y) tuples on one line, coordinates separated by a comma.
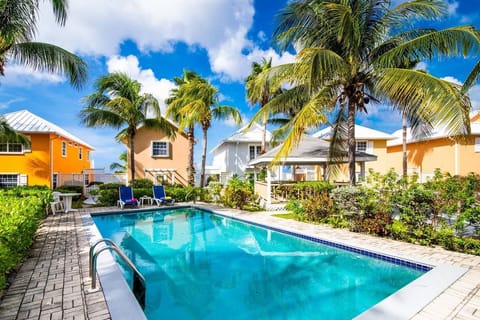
[(425, 154)]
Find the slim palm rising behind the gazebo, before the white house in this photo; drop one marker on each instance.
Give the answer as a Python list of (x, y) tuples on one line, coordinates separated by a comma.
[(262, 96)]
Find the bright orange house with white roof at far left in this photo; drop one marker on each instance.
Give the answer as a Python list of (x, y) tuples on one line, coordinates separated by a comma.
[(52, 151)]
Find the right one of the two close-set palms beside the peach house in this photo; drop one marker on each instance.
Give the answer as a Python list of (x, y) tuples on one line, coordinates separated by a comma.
[(201, 106)]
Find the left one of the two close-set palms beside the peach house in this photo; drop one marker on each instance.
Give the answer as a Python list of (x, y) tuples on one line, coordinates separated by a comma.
[(175, 102)]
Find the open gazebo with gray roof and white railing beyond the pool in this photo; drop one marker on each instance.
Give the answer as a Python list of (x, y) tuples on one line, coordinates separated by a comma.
[(309, 161)]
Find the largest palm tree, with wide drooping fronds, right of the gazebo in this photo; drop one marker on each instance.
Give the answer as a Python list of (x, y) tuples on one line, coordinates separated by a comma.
[(349, 55)]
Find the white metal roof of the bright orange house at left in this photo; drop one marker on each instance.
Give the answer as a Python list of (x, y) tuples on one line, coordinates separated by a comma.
[(26, 122)]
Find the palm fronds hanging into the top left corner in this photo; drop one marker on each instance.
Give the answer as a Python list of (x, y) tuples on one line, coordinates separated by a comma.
[(18, 20)]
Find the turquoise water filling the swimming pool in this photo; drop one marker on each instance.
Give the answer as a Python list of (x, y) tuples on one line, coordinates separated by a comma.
[(199, 265)]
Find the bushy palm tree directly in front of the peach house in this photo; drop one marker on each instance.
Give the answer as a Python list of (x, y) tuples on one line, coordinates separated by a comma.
[(117, 103)]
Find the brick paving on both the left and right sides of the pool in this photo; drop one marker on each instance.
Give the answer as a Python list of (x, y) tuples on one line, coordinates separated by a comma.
[(53, 282)]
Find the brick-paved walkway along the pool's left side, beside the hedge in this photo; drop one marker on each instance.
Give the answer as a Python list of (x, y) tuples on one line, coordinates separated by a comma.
[(53, 282)]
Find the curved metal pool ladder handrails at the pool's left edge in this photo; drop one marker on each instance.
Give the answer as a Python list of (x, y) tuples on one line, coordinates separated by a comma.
[(139, 287)]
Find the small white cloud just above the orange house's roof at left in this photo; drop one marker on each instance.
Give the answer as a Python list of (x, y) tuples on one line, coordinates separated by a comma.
[(20, 75)]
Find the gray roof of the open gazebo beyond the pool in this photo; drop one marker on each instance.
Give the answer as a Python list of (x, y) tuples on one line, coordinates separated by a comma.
[(310, 151)]
